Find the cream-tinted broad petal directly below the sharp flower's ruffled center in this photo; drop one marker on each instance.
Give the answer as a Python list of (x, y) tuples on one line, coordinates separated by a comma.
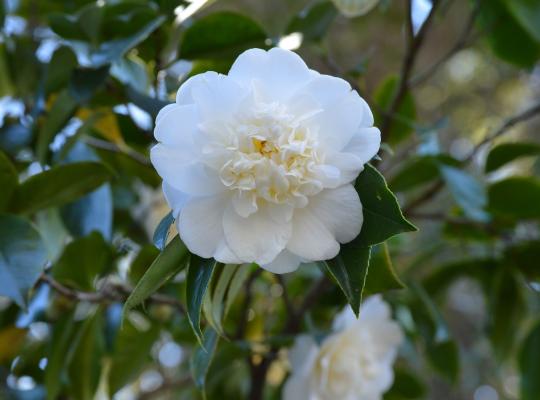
[(257, 238)]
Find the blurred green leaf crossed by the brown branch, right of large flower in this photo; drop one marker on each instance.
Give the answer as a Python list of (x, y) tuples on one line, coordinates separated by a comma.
[(405, 115)]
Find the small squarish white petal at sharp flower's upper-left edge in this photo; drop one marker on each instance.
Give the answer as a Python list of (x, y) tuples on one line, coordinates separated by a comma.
[(177, 125)]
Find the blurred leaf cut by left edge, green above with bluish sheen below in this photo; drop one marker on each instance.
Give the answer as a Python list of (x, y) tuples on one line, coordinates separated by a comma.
[(22, 257)]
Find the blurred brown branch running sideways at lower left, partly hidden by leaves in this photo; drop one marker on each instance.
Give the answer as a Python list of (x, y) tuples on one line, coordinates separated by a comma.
[(107, 294)]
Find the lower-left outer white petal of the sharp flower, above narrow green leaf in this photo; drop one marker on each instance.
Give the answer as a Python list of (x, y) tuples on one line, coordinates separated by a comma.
[(201, 224)]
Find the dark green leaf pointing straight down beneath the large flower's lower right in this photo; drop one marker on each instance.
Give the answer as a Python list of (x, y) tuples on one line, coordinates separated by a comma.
[(349, 270)]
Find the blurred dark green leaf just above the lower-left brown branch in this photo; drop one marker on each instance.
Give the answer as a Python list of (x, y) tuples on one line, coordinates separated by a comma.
[(83, 261)]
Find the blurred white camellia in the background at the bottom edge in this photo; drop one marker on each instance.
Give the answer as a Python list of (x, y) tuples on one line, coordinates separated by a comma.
[(353, 363)]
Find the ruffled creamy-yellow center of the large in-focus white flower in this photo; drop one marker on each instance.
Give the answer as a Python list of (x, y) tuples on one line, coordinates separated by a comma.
[(272, 157)]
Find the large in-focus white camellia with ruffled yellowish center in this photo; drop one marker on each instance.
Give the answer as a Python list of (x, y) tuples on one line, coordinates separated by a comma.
[(258, 165)]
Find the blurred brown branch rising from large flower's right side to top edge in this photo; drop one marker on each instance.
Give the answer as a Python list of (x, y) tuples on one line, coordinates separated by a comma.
[(414, 43)]
